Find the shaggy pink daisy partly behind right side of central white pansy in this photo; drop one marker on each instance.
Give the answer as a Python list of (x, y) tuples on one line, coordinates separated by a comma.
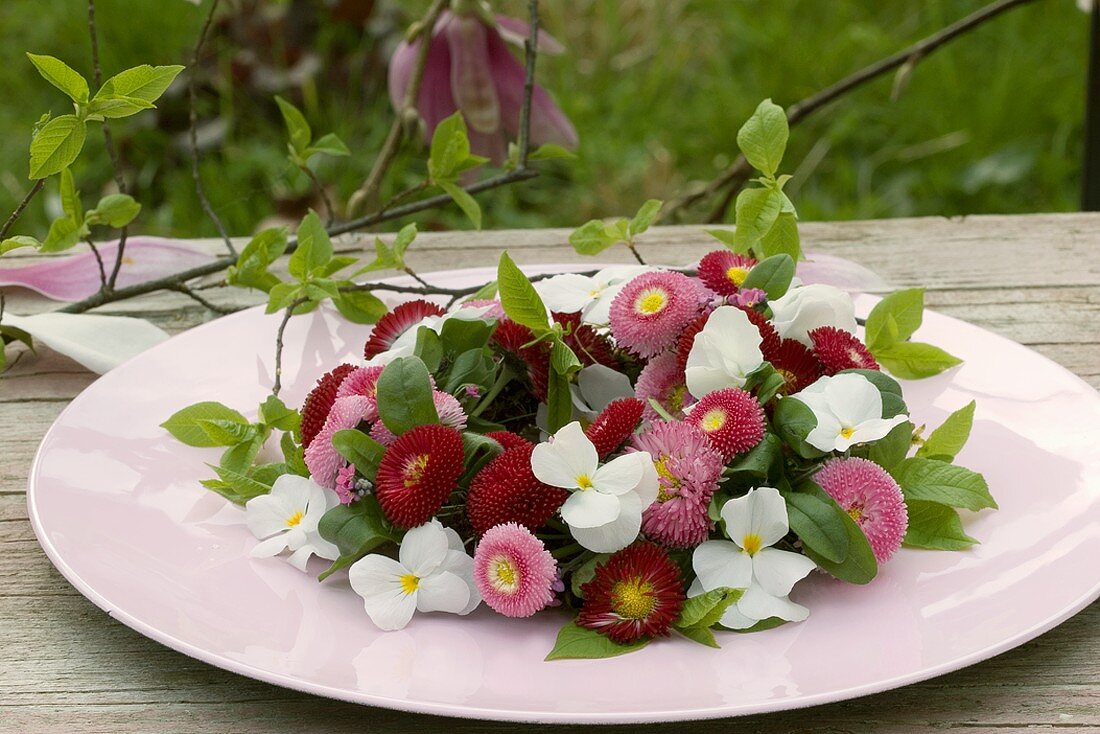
[(688, 470)]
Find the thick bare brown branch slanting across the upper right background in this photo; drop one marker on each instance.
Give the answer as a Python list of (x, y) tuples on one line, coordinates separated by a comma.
[(740, 172)]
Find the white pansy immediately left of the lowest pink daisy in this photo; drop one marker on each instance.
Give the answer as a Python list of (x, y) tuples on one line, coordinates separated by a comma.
[(433, 574)]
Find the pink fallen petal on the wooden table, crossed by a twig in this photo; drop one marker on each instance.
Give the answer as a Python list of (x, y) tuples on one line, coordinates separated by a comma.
[(76, 277)]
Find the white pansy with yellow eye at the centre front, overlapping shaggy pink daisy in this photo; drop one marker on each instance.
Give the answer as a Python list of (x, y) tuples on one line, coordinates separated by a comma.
[(604, 510)]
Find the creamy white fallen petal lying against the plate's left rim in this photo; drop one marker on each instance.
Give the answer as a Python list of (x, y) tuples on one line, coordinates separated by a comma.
[(97, 343)]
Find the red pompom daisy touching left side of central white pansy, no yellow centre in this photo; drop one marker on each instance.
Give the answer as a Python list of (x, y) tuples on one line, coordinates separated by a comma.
[(507, 491)]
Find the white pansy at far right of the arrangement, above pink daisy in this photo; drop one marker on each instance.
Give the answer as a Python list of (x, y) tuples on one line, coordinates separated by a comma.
[(849, 409)]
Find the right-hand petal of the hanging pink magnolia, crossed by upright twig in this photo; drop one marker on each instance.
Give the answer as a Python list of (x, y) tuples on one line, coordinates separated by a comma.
[(549, 125)]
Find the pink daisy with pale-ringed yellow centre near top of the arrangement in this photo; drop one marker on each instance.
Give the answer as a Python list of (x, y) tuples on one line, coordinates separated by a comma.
[(651, 311)]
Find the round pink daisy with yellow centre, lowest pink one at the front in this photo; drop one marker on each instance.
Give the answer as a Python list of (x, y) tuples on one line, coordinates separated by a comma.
[(514, 572)]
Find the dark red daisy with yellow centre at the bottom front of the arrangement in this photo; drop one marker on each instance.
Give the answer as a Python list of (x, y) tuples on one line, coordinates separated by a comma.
[(636, 594)]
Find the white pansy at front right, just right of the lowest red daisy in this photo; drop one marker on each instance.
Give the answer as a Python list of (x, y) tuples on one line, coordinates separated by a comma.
[(754, 524)]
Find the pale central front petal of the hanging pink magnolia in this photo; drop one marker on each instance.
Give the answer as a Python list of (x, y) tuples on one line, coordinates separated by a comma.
[(471, 76)]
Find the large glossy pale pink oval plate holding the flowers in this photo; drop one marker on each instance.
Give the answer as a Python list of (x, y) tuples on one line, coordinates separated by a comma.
[(117, 506)]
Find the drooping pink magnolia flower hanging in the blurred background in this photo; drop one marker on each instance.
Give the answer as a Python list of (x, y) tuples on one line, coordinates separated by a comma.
[(470, 69)]
